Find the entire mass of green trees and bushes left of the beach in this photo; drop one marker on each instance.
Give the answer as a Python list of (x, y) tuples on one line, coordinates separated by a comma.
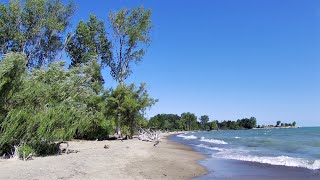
[(42, 102)]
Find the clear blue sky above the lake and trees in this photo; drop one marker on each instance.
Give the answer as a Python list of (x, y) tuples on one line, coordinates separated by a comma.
[(229, 59)]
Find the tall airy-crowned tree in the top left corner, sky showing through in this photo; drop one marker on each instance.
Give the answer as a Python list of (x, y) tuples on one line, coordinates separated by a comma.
[(35, 28)]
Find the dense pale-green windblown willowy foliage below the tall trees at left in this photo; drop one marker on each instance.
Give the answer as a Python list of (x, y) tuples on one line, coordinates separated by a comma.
[(46, 106)]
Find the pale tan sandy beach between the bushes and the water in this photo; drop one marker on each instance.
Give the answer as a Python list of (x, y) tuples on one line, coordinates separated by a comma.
[(131, 159)]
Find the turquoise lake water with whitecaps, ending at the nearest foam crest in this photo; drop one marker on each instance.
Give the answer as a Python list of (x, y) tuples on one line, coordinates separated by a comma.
[(295, 147)]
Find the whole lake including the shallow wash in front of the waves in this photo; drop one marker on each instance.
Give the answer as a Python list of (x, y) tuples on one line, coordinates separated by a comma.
[(277, 148)]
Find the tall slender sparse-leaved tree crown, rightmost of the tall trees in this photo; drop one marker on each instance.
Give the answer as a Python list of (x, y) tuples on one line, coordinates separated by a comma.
[(131, 36)]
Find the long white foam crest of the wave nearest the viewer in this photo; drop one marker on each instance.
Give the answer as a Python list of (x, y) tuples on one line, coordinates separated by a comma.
[(278, 160)]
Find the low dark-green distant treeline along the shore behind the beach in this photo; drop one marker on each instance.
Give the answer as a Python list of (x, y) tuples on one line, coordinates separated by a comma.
[(189, 121)]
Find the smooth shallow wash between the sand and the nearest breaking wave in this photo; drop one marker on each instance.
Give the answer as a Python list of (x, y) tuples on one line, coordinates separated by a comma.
[(220, 168)]
